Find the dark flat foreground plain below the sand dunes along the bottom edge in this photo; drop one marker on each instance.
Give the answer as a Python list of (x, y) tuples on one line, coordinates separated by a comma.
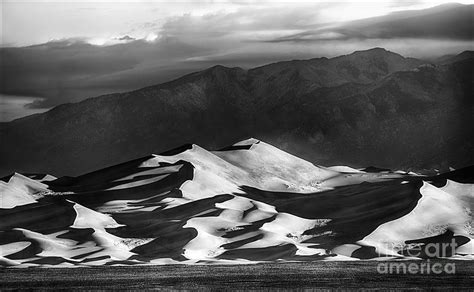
[(315, 275)]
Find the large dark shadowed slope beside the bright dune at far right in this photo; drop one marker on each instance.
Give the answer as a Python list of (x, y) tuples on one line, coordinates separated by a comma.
[(355, 211)]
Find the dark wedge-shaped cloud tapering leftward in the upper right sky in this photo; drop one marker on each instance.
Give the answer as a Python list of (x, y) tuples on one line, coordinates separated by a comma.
[(450, 21)]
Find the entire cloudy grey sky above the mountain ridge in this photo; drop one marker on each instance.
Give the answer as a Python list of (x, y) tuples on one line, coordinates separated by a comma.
[(55, 52)]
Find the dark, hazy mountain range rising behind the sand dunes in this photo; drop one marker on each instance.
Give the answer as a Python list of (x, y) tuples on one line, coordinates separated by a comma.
[(371, 107)]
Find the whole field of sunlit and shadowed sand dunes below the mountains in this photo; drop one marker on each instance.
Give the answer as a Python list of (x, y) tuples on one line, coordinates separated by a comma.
[(246, 203)]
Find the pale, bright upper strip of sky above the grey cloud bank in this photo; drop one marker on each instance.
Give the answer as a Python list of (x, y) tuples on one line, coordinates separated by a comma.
[(102, 21)]
